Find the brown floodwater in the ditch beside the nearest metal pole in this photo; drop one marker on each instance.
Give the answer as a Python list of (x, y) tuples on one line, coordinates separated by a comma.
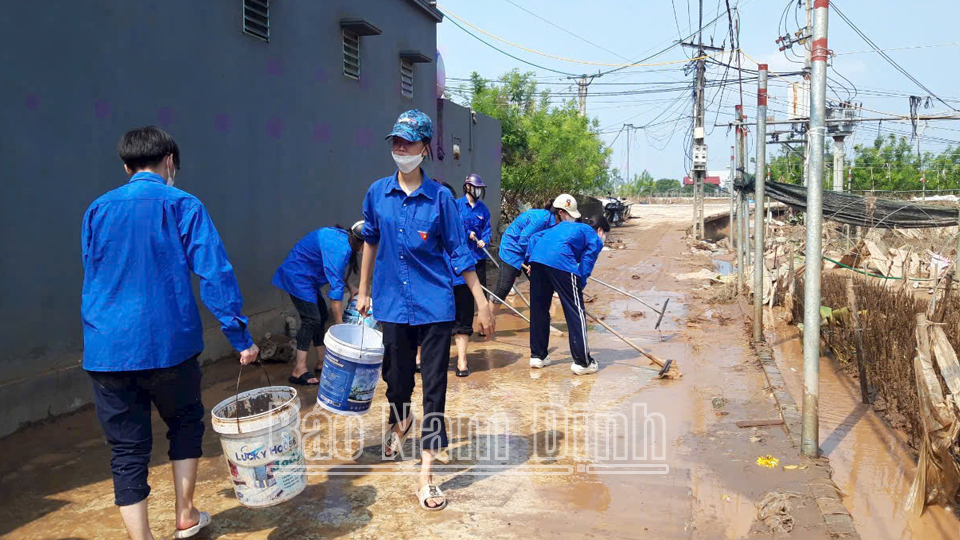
[(871, 461)]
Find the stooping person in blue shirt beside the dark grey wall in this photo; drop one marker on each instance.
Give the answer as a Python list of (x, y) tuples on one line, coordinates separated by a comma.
[(327, 255)]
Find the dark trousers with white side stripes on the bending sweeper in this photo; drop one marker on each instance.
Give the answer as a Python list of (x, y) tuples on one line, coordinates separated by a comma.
[(544, 280)]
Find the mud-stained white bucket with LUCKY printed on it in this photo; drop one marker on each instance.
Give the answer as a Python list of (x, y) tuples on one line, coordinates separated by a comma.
[(263, 447)]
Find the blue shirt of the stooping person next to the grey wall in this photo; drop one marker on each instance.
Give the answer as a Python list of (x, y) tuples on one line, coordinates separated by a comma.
[(321, 257)]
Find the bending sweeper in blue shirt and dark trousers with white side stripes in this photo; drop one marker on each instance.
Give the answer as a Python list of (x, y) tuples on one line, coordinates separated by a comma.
[(561, 259)]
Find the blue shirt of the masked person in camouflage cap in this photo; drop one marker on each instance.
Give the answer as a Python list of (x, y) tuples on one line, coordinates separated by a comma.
[(412, 281)]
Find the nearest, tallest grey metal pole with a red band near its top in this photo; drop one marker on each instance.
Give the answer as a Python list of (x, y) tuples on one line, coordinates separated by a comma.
[(810, 432)]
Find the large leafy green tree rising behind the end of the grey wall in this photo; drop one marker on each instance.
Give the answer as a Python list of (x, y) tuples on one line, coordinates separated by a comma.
[(546, 149)]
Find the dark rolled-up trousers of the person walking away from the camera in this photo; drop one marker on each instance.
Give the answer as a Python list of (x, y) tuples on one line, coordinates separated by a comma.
[(122, 400)]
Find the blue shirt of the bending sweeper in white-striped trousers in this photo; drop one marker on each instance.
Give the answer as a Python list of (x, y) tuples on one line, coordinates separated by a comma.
[(568, 246)]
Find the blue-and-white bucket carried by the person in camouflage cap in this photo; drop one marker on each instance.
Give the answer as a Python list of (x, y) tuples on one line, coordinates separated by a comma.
[(351, 368)]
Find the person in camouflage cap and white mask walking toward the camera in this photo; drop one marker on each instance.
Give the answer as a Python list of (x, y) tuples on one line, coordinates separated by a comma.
[(410, 224)]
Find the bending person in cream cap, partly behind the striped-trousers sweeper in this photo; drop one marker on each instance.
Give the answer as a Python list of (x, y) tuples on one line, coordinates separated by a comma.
[(513, 243)]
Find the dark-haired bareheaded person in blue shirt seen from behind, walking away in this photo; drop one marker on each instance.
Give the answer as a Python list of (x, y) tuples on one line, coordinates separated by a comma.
[(142, 332)]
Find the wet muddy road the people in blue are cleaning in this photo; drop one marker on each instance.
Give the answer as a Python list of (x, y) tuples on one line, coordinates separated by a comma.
[(533, 454)]
